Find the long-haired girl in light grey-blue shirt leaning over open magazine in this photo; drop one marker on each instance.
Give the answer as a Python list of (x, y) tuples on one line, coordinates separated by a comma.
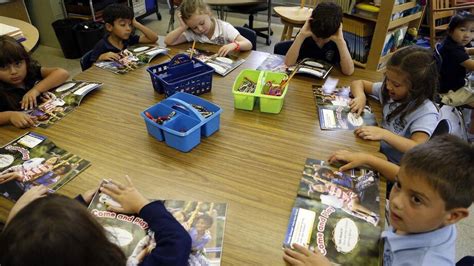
[(409, 115)]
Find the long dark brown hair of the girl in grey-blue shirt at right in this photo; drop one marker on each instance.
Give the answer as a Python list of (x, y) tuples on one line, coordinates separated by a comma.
[(420, 68)]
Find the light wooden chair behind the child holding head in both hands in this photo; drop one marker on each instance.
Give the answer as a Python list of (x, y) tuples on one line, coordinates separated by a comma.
[(293, 17)]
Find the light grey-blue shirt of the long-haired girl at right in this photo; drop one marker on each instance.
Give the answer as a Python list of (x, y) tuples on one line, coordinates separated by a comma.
[(422, 119)]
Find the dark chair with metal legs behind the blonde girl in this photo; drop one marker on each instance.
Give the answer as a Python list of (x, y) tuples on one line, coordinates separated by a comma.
[(252, 9)]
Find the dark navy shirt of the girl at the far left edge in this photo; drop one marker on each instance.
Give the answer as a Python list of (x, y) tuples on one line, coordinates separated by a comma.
[(16, 94)]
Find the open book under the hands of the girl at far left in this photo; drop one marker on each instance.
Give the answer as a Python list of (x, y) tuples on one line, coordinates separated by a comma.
[(61, 101)]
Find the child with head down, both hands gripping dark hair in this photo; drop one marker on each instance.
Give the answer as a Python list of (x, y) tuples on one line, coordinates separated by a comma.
[(321, 38)]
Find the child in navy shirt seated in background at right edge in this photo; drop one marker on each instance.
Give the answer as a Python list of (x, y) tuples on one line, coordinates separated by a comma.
[(455, 51)]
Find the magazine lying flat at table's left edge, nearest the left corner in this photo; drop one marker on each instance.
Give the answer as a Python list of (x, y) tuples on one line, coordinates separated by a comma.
[(36, 160)]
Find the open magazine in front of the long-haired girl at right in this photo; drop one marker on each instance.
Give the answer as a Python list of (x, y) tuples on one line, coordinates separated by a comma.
[(334, 111)]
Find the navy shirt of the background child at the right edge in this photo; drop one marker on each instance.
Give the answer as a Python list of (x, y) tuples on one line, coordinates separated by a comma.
[(452, 73)]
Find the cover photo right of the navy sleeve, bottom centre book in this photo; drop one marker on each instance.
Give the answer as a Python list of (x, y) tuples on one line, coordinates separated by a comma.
[(205, 223)]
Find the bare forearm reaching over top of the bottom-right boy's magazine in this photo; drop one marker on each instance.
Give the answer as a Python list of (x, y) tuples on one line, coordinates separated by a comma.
[(357, 159)]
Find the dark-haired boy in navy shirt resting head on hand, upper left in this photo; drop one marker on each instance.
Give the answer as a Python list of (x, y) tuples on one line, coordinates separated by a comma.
[(119, 22)]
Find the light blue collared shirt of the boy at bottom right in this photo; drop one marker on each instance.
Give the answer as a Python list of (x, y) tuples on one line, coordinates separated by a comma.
[(431, 248)]
